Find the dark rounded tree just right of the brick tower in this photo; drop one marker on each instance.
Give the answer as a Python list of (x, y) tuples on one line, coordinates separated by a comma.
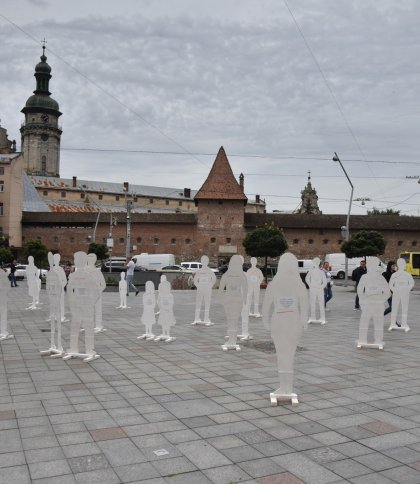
[(267, 241)]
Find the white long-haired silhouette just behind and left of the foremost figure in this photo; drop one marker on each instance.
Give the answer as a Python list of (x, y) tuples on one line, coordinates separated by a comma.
[(233, 299)]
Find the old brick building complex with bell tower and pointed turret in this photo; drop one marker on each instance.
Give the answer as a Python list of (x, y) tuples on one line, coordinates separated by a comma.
[(68, 214)]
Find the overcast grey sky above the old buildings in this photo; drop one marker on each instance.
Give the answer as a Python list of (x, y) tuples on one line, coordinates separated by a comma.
[(150, 89)]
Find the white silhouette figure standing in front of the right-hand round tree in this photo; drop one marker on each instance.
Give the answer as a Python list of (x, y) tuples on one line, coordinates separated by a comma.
[(373, 291)]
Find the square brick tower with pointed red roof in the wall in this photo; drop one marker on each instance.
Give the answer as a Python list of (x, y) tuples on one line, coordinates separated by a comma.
[(220, 212)]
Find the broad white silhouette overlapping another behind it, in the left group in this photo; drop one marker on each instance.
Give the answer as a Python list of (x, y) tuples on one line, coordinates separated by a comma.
[(83, 292)]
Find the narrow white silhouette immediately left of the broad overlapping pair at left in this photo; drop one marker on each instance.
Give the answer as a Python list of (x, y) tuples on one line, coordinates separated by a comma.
[(54, 286)]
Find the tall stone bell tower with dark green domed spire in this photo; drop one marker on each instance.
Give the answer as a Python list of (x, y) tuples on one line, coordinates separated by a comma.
[(40, 132)]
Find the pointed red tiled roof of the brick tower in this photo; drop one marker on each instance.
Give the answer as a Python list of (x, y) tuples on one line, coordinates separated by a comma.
[(221, 183)]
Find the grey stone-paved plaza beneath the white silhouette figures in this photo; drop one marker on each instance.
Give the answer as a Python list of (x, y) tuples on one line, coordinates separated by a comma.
[(187, 412)]
